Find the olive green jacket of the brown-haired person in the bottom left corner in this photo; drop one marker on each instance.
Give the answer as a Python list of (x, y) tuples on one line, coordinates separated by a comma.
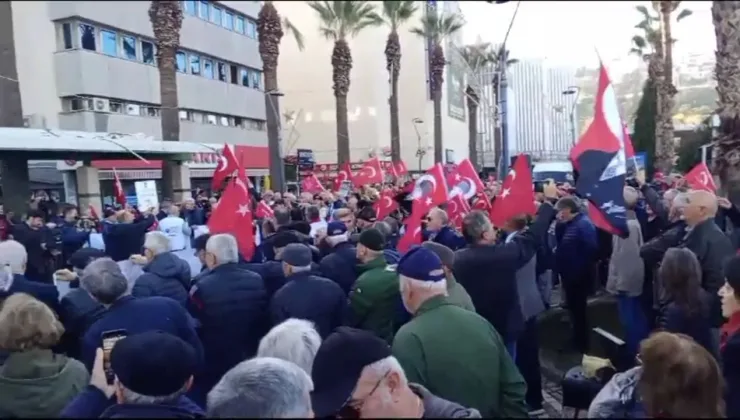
[(38, 383)]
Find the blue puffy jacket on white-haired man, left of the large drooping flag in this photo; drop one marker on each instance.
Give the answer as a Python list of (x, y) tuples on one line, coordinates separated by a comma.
[(166, 275)]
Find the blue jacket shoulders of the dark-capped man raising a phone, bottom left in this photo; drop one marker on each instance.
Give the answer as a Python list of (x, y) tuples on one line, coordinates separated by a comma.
[(92, 403)]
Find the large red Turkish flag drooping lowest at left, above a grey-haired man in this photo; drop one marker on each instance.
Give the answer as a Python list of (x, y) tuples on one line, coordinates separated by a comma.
[(232, 214)]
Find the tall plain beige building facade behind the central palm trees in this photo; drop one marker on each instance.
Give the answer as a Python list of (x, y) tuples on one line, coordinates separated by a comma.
[(305, 78)]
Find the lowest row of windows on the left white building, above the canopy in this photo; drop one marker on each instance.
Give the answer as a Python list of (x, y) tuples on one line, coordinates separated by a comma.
[(138, 109)]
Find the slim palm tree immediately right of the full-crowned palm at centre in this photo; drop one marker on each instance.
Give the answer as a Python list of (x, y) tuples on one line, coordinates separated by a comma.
[(395, 13)]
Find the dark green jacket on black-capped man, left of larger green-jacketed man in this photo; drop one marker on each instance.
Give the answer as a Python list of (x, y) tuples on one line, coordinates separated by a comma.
[(374, 299)]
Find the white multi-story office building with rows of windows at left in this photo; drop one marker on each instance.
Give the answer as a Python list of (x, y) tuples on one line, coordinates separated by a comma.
[(91, 66)]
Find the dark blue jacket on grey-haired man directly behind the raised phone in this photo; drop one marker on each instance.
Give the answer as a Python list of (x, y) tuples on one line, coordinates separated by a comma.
[(137, 315)]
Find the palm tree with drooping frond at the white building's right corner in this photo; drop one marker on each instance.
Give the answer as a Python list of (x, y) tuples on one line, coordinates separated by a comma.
[(270, 32)]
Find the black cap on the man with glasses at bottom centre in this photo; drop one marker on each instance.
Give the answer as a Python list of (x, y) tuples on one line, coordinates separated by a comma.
[(338, 365)]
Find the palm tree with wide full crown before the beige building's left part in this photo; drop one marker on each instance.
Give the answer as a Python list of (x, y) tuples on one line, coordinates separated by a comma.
[(339, 21)]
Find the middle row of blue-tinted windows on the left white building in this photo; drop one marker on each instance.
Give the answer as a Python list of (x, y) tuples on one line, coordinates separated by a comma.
[(133, 48)]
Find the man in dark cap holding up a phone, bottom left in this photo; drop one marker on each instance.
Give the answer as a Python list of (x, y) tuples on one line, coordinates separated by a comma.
[(153, 371)]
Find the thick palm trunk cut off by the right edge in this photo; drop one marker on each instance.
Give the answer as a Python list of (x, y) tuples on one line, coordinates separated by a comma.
[(726, 19)]
